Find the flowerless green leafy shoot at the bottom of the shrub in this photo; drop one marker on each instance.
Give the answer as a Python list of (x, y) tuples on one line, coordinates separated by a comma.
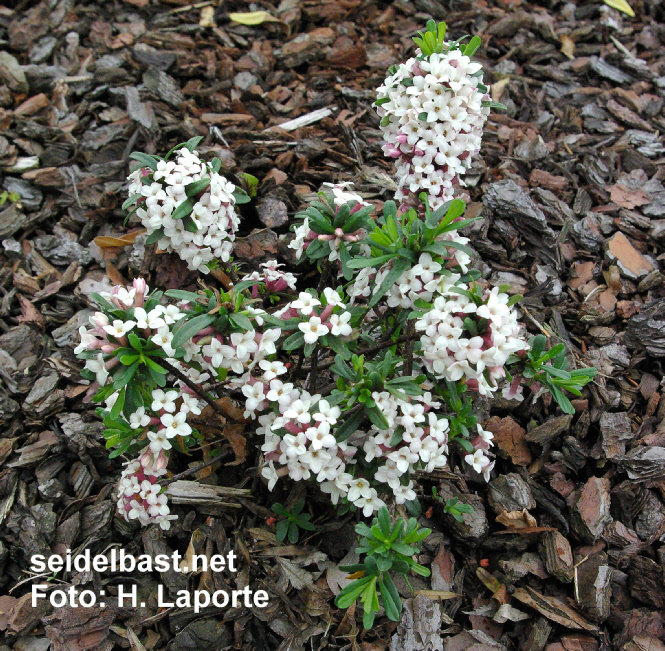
[(389, 547)]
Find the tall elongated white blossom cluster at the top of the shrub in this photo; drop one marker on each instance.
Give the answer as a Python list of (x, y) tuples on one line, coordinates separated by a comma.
[(432, 121)]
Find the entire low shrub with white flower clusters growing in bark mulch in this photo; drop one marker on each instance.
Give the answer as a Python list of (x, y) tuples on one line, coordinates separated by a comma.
[(358, 383)]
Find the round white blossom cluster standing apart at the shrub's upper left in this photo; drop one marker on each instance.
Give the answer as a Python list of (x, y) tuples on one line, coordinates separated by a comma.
[(207, 232)]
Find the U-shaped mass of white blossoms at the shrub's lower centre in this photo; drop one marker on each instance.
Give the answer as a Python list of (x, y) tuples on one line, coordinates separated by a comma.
[(301, 436)]
